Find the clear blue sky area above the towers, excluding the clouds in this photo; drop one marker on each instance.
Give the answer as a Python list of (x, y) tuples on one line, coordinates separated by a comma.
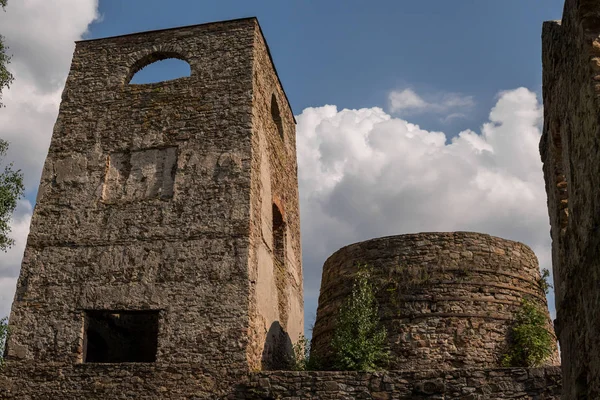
[(351, 53)]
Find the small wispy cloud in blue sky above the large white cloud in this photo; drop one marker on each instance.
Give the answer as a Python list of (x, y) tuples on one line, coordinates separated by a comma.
[(452, 105)]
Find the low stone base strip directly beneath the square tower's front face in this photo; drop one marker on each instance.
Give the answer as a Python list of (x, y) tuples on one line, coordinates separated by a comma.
[(103, 381)]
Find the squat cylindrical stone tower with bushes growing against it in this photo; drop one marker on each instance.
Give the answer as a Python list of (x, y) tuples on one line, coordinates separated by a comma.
[(446, 299)]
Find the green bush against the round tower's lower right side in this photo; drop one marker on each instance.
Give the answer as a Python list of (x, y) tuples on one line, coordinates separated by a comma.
[(529, 339)]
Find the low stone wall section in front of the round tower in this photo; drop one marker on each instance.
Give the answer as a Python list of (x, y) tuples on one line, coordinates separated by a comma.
[(478, 384)]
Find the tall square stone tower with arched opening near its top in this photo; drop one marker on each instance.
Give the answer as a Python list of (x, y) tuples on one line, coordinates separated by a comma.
[(166, 228)]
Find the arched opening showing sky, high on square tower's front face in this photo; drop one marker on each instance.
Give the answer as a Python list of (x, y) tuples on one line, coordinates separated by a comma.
[(159, 67)]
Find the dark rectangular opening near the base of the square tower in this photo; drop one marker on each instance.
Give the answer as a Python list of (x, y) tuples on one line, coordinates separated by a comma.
[(120, 336)]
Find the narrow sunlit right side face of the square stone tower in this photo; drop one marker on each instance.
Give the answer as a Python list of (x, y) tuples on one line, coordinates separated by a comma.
[(277, 313)]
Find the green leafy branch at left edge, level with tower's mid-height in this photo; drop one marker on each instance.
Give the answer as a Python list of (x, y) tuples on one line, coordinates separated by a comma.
[(11, 190)]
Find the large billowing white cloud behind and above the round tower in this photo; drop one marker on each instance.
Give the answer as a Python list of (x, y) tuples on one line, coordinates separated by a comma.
[(365, 174)]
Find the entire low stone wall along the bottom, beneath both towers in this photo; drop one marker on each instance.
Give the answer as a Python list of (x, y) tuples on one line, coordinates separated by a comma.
[(192, 382)]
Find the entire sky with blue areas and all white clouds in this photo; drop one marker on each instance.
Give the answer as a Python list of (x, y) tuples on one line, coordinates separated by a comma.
[(401, 80)]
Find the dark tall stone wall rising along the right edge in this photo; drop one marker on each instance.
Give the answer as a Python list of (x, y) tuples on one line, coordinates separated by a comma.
[(570, 152)]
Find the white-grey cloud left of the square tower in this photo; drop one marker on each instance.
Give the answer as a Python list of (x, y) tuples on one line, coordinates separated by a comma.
[(40, 35)]
